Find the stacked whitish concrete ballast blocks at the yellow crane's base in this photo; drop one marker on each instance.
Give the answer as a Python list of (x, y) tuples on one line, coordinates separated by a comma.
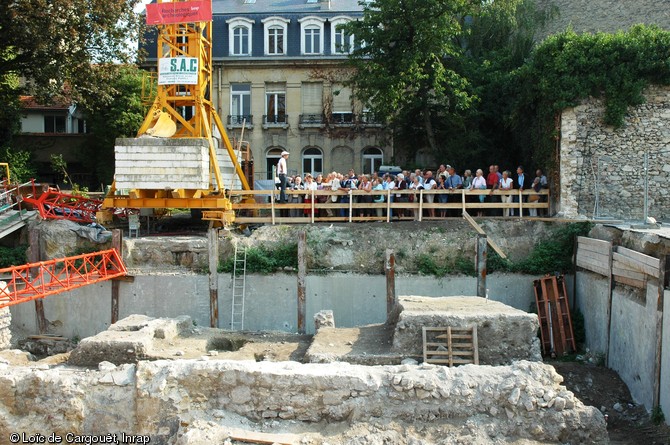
[(156, 163)]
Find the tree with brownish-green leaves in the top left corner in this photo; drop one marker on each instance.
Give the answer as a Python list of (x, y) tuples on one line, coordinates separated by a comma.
[(68, 46)]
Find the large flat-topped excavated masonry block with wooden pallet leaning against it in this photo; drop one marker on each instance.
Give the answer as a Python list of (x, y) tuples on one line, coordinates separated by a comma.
[(504, 334)]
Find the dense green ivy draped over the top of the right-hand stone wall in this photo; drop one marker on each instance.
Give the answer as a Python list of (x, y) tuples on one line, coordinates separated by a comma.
[(569, 67)]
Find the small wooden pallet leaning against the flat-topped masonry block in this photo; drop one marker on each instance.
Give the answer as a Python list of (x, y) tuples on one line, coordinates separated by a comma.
[(450, 345)]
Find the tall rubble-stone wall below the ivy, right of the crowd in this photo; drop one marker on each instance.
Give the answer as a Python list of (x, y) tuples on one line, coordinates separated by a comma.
[(604, 164)]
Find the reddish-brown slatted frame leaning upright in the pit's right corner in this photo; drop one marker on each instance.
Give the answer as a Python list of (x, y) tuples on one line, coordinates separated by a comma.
[(553, 311)]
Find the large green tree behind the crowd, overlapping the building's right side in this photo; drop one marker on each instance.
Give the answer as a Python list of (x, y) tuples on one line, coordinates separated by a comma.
[(426, 66)]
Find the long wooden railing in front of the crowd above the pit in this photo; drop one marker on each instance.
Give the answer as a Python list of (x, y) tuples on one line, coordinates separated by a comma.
[(261, 206)]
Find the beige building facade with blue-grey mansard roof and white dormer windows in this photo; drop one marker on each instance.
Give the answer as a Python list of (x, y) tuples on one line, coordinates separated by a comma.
[(279, 82)]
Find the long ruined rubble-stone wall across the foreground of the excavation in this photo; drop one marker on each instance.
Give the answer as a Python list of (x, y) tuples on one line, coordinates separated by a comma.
[(524, 400)]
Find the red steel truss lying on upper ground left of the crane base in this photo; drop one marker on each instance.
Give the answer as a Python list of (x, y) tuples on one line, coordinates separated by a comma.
[(52, 204)]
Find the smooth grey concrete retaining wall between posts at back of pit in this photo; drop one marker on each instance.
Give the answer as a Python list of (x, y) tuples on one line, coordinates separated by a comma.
[(271, 302)]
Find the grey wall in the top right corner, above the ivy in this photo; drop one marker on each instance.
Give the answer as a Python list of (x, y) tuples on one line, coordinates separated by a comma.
[(605, 15)]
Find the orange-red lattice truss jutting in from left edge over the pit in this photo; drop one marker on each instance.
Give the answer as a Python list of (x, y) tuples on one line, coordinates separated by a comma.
[(39, 280)]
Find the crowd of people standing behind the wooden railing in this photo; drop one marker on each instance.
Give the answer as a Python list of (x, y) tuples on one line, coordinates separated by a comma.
[(444, 178)]
